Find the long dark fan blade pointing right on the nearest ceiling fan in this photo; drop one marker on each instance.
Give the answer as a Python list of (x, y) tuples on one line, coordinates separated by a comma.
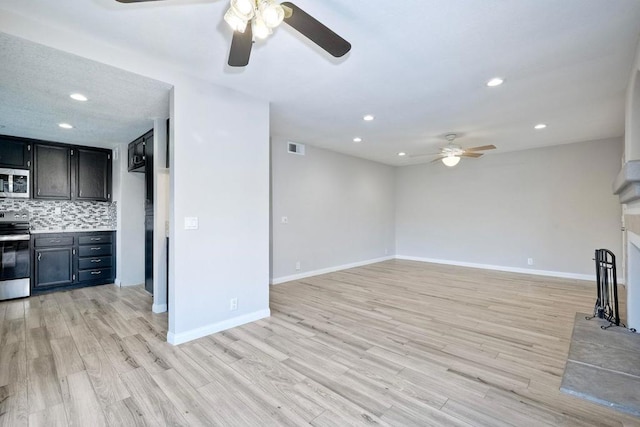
[(315, 31)]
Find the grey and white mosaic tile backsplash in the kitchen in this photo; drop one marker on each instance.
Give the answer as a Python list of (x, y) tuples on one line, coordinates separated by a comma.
[(61, 215)]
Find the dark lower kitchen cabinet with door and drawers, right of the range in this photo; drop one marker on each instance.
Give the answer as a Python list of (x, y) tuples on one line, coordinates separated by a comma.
[(72, 260)]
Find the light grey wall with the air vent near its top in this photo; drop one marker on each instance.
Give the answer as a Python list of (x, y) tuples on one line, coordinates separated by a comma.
[(340, 211)]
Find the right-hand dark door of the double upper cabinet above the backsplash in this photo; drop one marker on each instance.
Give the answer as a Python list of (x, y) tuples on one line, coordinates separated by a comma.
[(94, 175)]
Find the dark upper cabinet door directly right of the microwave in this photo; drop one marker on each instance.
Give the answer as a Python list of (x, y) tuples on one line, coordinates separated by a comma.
[(52, 175)]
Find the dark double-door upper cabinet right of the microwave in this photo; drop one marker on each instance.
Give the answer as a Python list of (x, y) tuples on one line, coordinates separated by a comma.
[(63, 172)]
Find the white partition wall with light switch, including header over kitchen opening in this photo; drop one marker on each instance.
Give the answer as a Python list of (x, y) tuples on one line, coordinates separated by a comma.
[(219, 173)]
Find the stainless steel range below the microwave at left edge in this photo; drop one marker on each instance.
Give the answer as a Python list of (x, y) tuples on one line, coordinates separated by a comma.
[(15, 267)]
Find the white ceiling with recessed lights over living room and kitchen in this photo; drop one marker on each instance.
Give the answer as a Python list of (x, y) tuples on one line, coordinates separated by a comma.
[(419, 66)]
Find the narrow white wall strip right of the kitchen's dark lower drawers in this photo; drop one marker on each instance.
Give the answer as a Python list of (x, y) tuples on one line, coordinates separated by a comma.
[(128, 192)]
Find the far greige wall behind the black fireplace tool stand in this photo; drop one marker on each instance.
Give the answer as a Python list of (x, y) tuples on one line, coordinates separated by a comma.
[(554, 205)]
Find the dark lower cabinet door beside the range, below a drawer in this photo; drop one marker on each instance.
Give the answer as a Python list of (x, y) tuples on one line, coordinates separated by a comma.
[(53, 267)]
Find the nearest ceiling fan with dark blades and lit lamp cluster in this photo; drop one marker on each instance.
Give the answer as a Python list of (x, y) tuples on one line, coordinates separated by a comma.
[(258, 18)]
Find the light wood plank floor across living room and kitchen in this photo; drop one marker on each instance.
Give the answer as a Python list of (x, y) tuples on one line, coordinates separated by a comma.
[(396, 343)]
